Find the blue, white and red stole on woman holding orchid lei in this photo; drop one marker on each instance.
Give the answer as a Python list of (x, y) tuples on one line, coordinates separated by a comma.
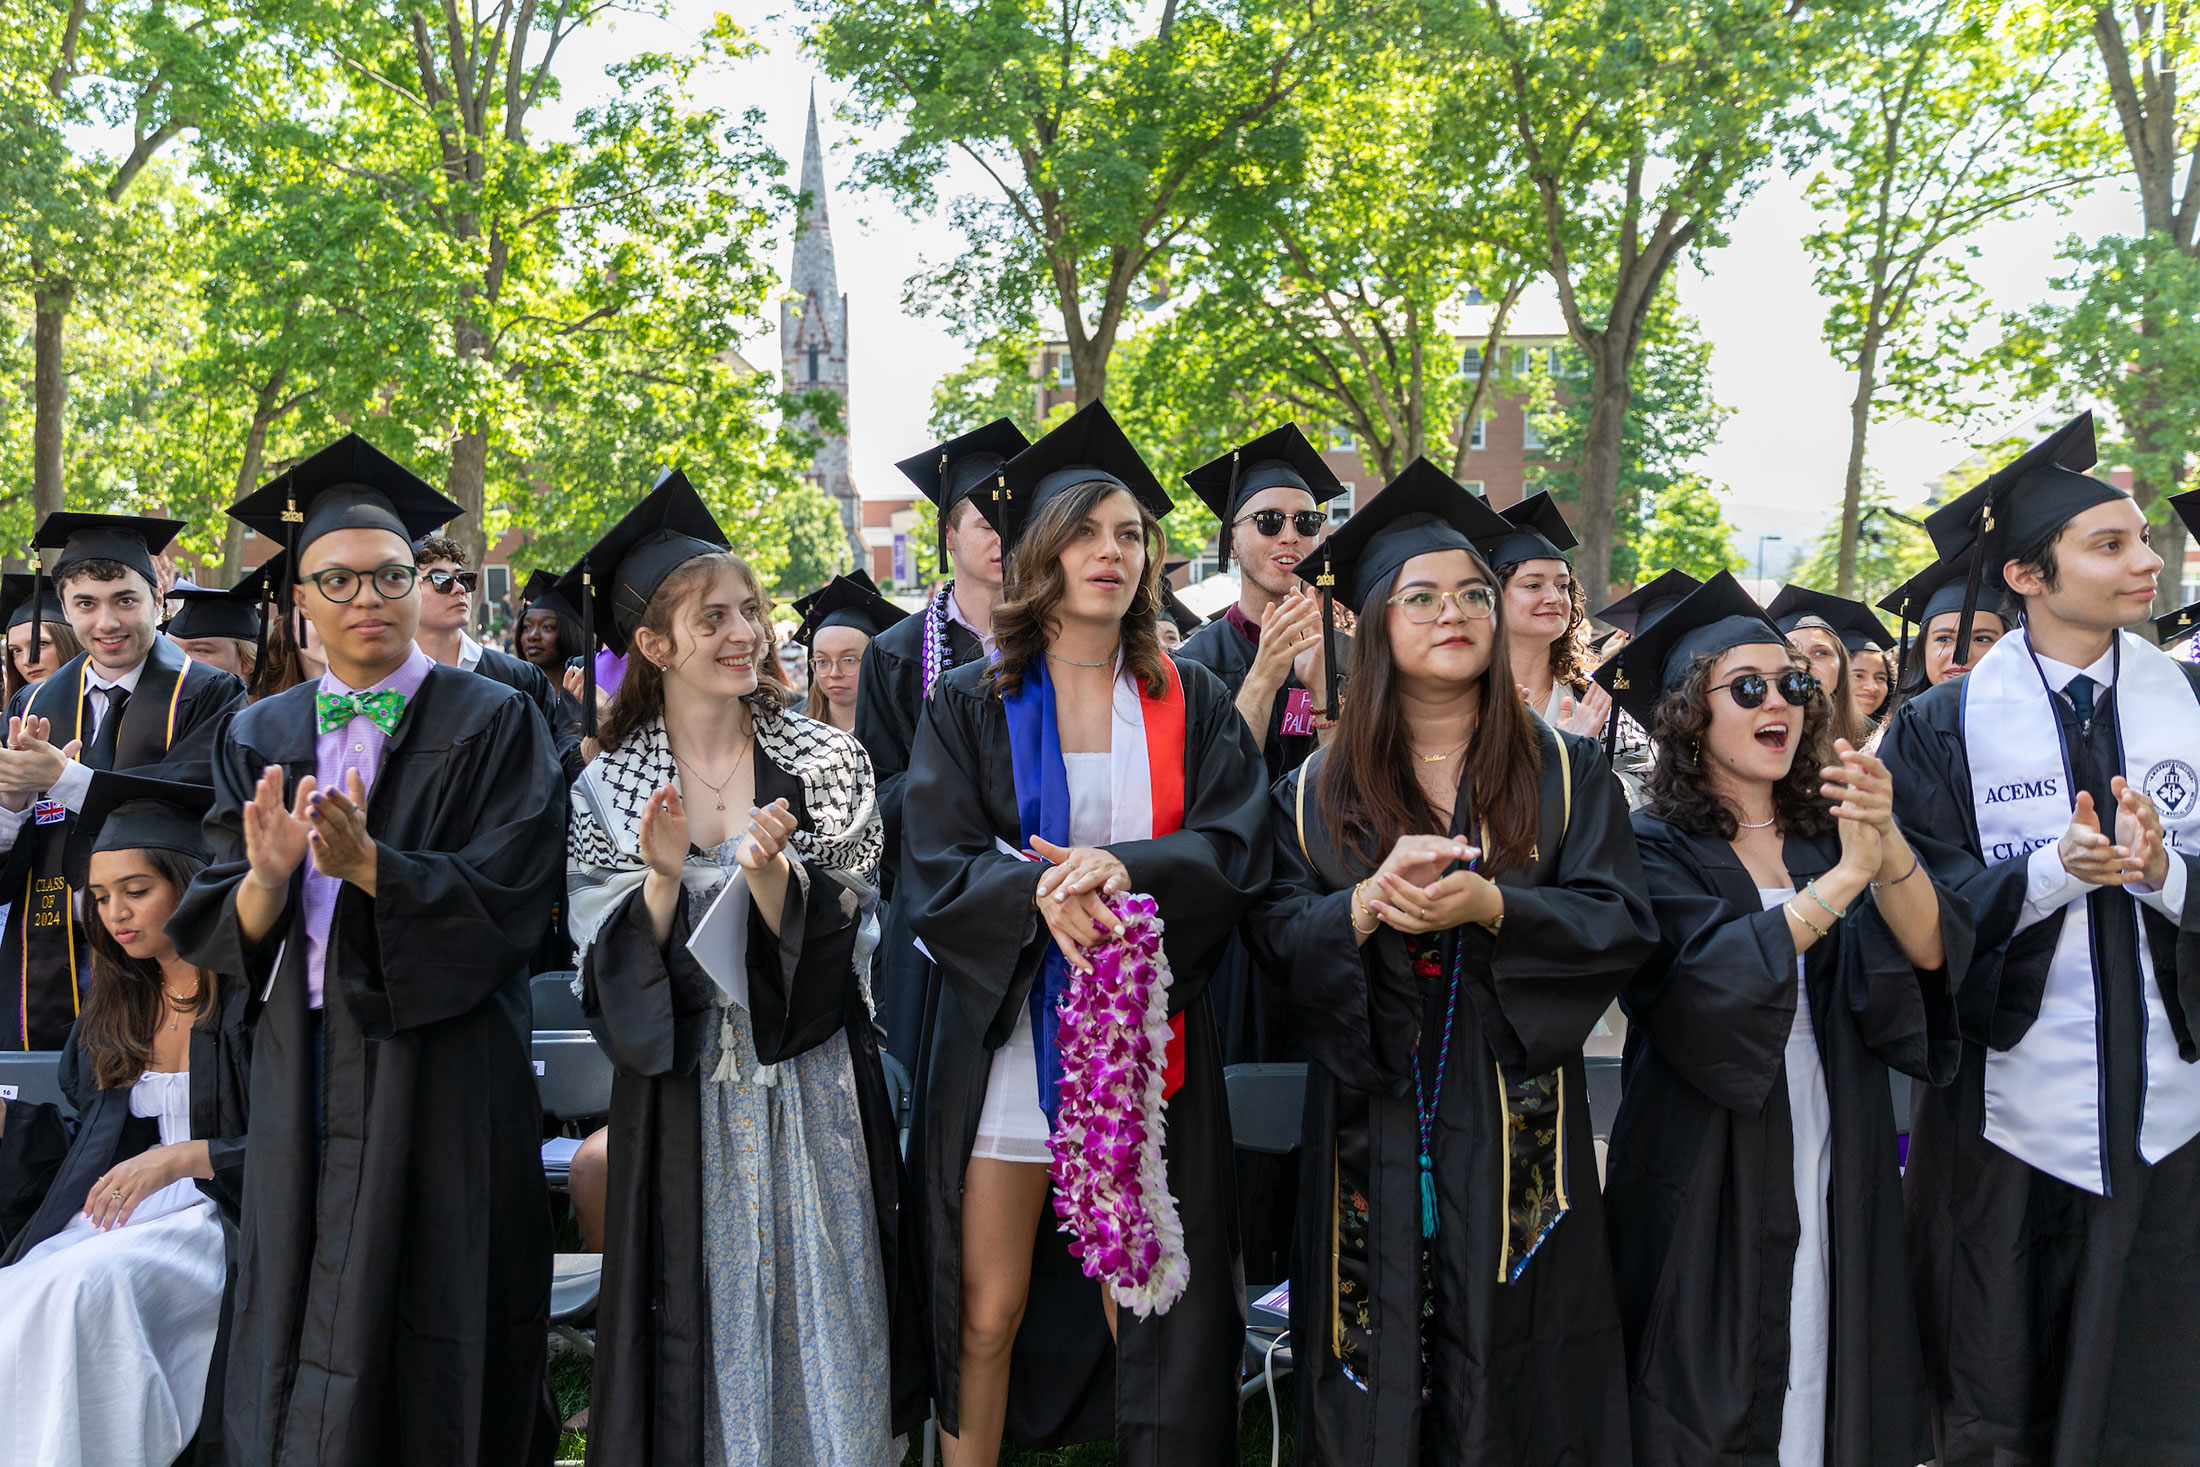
[(1147, 802)]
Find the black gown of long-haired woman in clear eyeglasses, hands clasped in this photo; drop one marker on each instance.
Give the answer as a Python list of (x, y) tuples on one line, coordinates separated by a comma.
[(1523, 1371)]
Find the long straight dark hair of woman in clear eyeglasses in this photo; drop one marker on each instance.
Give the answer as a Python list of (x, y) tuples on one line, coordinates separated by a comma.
[(1367, 788)]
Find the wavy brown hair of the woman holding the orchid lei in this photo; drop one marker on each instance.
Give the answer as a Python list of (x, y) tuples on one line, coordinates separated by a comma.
[(1033, 586)]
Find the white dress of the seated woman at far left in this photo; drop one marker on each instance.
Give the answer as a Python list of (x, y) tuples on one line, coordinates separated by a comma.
[(107, 1336)]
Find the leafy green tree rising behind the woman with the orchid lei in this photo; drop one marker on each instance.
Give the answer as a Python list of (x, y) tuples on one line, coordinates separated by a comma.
[(1108, 137)]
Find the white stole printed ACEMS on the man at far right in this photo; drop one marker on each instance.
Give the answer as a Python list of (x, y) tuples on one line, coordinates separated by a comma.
[(2045, 1092)]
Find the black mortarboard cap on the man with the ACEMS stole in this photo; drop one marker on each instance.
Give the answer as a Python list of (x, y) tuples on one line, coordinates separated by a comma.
[(2018, 507)]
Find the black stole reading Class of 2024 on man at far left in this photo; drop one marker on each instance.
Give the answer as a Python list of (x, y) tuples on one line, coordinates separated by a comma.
[(47, 964)]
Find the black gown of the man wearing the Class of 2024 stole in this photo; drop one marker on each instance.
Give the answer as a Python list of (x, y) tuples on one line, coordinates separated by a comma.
[(168, 731)]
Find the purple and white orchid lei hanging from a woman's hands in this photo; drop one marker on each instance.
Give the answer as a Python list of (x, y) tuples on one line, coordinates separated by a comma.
[(1110, 1180)]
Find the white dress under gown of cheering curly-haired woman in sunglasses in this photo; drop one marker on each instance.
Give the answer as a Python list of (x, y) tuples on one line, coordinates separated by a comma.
[(1803, 1420)]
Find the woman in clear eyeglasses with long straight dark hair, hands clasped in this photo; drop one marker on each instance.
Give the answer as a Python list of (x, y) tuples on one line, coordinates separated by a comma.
[(1455, 903)]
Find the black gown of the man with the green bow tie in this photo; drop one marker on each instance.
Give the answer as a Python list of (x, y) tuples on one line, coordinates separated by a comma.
[(395, 1275)]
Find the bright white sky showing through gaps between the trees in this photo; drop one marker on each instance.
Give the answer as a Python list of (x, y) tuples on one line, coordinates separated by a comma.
[(1781, 454)]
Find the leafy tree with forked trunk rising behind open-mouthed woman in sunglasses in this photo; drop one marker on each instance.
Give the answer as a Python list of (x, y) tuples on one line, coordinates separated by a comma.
[(1633, 133)]
